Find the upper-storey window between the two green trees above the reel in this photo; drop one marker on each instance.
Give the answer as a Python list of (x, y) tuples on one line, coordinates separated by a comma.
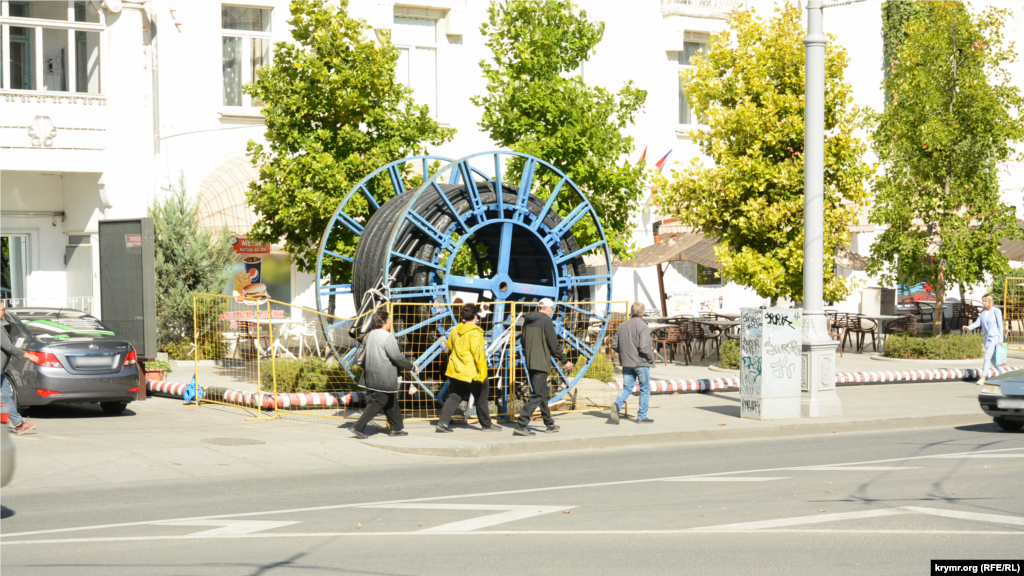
[(417, 44)]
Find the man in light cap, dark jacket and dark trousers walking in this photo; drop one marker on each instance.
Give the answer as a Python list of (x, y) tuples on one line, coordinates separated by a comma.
[(539, 345)]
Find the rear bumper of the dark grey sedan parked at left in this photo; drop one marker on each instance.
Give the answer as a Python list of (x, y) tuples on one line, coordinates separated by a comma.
[(76, 389)]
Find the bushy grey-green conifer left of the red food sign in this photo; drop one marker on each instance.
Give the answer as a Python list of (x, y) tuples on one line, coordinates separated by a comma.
[(189, 260)]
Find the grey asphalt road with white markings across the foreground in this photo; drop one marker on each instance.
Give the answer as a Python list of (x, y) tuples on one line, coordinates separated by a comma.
[(856, 504)]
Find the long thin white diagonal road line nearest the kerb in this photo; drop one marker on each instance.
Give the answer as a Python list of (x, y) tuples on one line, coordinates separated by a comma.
[(459, 497)]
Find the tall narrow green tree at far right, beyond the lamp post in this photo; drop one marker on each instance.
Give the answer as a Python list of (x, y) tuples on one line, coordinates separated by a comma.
[(952, 122)]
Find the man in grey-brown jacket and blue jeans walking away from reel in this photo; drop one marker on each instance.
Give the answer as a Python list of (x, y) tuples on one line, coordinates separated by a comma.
[(636, 354)]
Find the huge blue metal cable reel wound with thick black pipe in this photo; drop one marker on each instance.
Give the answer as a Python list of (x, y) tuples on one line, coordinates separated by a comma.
[(522, 240)]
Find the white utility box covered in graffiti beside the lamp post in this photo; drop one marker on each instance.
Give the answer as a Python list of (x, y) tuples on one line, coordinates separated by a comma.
[(771, 365)]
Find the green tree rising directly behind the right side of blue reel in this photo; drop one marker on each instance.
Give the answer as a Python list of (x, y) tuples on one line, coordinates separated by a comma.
[(537, 103)]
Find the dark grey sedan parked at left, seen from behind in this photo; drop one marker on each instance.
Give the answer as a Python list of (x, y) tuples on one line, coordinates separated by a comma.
[(80, 361)]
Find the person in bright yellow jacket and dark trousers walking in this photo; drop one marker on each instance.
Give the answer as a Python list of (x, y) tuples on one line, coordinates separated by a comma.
[(467, 371)]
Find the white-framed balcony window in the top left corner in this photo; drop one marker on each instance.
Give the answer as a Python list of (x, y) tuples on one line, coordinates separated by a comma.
[(51, 46)]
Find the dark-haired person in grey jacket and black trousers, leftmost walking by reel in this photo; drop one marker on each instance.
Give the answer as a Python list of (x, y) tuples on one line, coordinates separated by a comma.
[(380, 377)]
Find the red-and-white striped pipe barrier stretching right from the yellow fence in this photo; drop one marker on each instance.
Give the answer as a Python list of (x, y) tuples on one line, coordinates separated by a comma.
[(670, 387)]
